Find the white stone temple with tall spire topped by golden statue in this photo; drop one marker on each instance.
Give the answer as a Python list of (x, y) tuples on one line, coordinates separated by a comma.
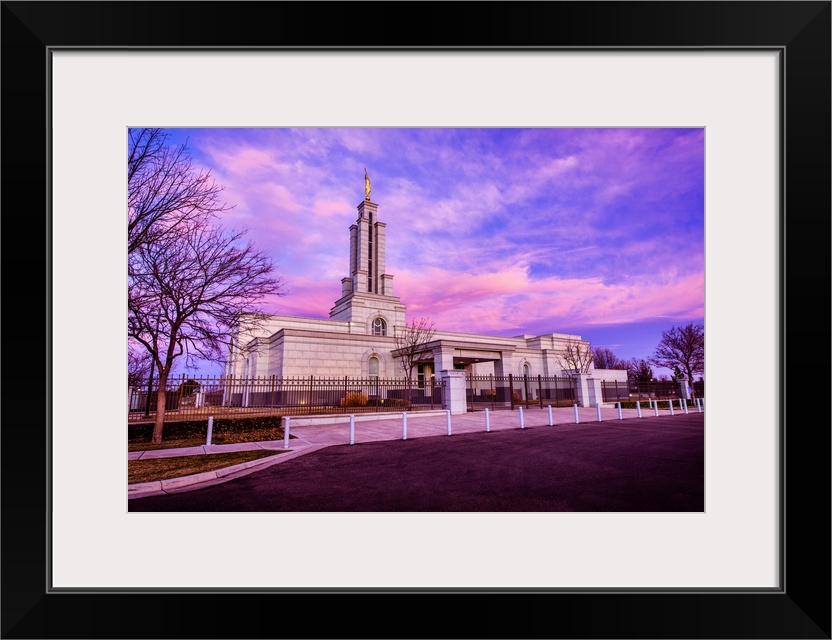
[(358, 338)]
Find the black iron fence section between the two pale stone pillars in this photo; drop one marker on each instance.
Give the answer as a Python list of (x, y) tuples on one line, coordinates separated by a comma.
[(496, 392)]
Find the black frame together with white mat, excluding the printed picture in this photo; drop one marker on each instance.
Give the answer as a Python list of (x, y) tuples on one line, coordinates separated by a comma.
[(754, 75)]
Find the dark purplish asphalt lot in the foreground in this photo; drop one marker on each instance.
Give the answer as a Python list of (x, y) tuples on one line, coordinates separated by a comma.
[(654, 464)]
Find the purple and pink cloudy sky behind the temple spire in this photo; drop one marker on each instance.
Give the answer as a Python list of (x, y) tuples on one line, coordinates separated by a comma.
[(597, 232)]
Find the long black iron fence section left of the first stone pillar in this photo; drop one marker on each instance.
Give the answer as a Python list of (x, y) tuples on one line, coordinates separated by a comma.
[(188, 398)]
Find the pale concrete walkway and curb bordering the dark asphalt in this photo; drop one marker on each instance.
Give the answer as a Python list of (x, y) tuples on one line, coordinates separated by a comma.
[(313, 437)]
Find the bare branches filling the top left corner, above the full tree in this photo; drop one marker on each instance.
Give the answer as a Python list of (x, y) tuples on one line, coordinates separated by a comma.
[(164, 190)]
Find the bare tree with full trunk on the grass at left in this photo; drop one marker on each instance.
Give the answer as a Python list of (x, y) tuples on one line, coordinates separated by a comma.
[(188, 290)]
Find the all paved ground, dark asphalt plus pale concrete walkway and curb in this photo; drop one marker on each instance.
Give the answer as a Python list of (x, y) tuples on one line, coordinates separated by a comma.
[(529, 460)]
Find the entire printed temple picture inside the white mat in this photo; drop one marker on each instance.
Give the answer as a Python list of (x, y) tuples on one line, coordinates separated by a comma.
[(416, 319)]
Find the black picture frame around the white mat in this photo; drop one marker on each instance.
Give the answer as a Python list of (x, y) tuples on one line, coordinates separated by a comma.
[(800, 608)]
